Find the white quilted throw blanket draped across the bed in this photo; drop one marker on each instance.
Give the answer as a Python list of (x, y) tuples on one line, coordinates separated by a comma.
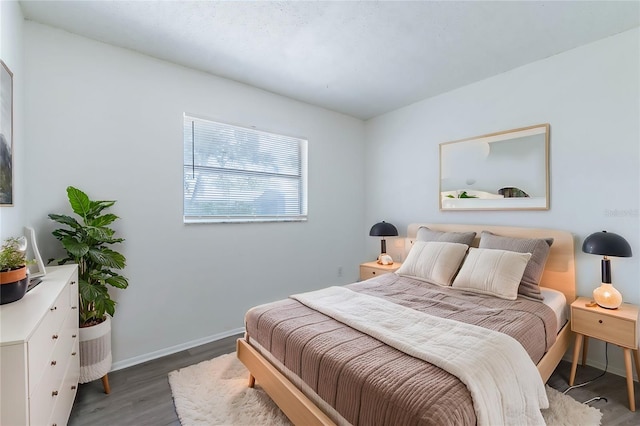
[(505, 385)]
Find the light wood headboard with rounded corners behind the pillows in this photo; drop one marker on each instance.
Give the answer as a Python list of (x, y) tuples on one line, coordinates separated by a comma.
[(559, 272)]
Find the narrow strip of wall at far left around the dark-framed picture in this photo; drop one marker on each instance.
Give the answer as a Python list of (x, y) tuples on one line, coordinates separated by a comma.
[(11, 48)]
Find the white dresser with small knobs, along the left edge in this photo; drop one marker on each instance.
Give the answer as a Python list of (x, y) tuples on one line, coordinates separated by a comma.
[(39, 360)]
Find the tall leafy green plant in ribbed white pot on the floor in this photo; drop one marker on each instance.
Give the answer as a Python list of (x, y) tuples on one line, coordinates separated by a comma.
[(87, 242)]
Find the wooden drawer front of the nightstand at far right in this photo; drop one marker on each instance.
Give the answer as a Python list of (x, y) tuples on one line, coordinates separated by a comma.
[(619, 331)]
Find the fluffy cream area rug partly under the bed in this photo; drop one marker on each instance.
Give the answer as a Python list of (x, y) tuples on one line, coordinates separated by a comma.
[(215, 392)]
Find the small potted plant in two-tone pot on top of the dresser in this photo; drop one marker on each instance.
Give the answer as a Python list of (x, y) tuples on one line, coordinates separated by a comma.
[(13, 270)]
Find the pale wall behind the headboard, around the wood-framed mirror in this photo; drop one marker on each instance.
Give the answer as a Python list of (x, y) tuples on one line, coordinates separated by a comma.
[(591, 98)]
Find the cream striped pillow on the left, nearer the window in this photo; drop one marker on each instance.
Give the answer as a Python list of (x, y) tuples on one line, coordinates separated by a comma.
[(435, 262)]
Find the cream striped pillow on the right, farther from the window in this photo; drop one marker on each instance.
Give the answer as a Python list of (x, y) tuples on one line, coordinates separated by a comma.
[(492, 271)]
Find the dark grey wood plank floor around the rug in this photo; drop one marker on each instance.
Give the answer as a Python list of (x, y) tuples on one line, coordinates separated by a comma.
[(140, 395)]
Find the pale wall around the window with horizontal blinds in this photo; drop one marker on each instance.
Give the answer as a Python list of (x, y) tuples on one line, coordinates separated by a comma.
[(109, 121)]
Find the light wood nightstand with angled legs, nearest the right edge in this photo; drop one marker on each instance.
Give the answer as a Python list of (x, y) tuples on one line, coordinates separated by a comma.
[(617, 326)]
